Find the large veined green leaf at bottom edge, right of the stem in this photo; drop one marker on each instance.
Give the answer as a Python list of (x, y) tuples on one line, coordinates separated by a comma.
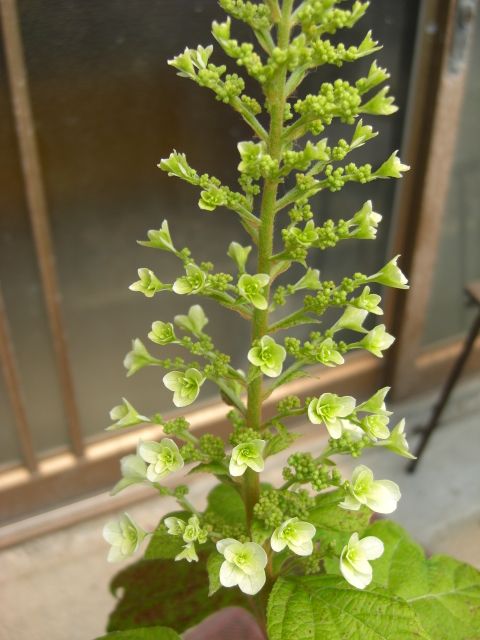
[(320, 607)]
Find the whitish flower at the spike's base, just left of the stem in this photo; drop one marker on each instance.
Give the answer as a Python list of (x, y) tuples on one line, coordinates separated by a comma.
[(244, 565)]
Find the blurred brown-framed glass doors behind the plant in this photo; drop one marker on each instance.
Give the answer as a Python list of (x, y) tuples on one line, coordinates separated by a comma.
[(88, 108)]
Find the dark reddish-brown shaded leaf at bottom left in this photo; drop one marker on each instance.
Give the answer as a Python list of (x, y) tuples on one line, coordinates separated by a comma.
[(163, 592)]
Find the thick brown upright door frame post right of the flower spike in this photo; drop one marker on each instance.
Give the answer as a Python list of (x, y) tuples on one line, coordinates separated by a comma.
[(436, 99)]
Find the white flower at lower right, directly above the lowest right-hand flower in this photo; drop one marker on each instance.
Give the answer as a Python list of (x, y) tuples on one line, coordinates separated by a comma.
[(380, 496)]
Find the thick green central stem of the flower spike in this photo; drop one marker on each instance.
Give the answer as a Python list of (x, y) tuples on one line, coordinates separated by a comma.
[(276, 98)]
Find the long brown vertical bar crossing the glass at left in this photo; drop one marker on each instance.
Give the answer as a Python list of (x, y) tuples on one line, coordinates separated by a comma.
[(32, 175)]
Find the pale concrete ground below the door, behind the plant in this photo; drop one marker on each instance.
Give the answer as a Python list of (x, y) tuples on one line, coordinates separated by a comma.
[(56, 587)]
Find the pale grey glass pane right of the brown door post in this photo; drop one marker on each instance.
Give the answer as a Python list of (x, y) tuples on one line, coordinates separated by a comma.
[(459, 256)]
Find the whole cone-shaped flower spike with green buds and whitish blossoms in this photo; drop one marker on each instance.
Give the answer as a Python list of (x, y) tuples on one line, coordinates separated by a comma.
[(278, 532)]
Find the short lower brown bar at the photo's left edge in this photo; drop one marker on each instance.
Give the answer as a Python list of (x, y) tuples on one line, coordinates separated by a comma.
[(12, 382)]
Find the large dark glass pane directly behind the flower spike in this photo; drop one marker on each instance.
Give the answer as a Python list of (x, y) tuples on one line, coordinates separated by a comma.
[(108, 108)]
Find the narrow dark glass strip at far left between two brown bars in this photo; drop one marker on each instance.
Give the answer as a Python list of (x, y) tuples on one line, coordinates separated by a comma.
[(23, 297)]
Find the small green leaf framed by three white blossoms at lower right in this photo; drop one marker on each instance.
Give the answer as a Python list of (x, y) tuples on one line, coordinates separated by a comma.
[(334, 524)]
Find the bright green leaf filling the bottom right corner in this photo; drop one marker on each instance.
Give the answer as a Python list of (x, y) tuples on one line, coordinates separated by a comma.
[(444, 593)]
